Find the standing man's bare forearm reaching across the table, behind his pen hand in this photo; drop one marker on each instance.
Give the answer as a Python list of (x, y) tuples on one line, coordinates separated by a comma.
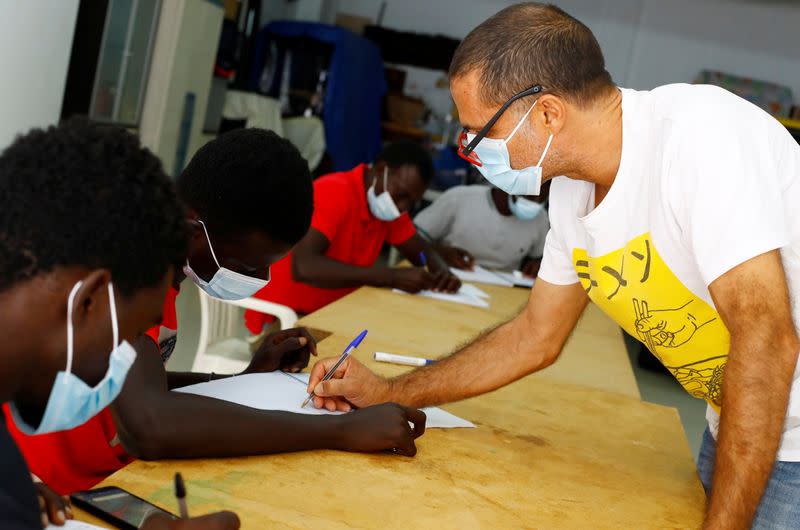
[(503, 355)]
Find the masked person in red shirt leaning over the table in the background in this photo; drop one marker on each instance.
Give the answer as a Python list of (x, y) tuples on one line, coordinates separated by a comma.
[(355, 213)]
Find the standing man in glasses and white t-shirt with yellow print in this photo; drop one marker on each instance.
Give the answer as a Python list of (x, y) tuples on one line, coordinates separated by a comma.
[(677, 215)]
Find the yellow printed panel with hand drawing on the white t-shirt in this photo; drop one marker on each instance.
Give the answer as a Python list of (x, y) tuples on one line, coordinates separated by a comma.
[(682, 330)]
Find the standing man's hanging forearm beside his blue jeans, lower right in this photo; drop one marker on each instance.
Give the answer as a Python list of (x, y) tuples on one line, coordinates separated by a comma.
[(755, 396)]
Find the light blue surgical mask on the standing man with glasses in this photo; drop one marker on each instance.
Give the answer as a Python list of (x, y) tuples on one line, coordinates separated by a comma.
[(496, 164)]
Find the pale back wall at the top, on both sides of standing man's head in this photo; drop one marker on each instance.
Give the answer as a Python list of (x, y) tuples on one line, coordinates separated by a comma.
[(646, 42)]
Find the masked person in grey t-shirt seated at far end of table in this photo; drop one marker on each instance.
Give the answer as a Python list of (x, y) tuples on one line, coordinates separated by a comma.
[(487, 226)]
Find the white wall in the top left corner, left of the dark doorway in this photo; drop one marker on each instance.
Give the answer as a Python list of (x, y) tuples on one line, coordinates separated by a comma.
[(35, 45)]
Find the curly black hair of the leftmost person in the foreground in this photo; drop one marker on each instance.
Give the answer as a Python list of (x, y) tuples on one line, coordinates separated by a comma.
[(82, 194)]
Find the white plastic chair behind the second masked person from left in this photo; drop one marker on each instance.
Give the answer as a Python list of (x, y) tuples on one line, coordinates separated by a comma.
[(219, 350)]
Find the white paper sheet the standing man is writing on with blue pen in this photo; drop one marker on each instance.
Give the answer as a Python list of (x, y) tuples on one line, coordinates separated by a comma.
[(282, 391)]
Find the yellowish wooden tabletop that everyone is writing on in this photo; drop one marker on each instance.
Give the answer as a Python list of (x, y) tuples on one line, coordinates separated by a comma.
[(546, 453)]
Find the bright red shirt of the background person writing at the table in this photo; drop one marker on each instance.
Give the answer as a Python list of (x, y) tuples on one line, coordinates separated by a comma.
[(342, 215)]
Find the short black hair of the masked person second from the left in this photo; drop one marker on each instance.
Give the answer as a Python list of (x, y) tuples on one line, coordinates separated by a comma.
[(250, 180)]
